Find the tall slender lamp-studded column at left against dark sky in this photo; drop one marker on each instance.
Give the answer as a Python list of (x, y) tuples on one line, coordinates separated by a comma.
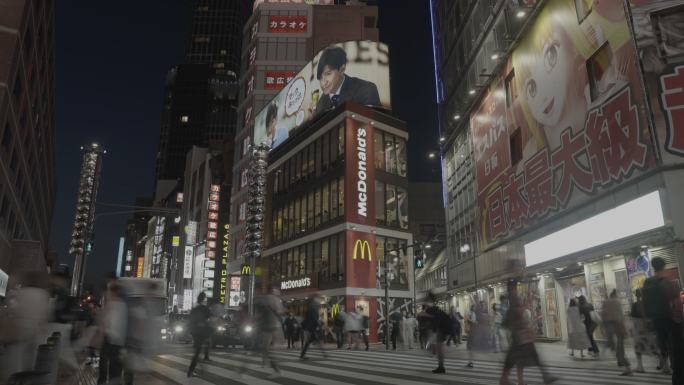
[(81, 244)]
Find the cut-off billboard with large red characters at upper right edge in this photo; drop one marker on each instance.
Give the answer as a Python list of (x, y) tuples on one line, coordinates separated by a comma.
[(658, 28)]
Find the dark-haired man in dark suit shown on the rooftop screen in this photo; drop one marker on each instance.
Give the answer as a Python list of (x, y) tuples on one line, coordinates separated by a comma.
[(338, 87)]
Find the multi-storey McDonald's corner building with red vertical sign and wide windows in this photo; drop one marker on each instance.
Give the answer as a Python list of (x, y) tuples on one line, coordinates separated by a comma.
[(338, 198)]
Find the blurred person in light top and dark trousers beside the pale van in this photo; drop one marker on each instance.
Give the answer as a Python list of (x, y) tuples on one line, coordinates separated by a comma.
[(114, 325)]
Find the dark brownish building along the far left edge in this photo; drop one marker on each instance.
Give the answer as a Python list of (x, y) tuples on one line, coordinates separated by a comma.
[(27, 133)]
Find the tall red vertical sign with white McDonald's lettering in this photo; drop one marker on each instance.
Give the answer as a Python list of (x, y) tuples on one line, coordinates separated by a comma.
[(360, 188)]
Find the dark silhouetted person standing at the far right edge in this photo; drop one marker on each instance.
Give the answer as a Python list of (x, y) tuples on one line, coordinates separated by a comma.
[(663, 307)]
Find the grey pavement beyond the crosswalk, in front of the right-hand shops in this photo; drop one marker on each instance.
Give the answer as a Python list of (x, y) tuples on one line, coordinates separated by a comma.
[(551, 353)]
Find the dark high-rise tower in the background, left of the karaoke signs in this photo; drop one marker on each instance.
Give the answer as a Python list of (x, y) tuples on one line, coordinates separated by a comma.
[(200, 96)]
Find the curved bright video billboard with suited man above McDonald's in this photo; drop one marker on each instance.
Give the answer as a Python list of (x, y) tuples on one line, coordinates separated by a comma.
[(351, 71)]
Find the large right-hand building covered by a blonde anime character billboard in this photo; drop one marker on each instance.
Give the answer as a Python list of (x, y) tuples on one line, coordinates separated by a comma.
[(563, 151)]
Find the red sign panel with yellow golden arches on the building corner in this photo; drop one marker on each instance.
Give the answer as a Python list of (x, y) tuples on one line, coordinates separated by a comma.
[(361, 259)]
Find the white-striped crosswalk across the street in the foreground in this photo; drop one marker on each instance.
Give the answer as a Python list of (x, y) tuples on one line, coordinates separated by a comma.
[(361, 367)]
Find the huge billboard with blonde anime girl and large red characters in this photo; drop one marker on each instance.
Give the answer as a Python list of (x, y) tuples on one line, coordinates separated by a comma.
[(563, 122)]
